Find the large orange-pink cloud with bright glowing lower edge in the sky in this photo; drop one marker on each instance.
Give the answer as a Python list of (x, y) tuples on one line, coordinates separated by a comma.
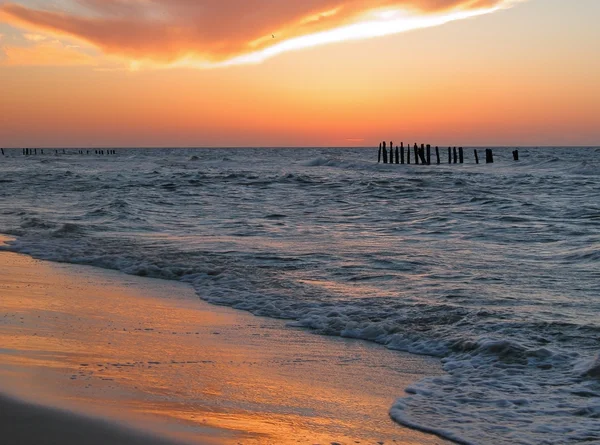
[(223, 32)]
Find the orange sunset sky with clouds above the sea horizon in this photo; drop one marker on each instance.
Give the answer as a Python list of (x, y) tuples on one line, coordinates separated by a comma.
[(232, 73)]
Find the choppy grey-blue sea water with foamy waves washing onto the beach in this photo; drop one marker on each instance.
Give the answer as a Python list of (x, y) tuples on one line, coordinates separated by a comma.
[(493, 268)]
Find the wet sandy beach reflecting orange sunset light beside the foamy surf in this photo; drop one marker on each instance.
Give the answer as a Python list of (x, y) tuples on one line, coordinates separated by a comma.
[(150, 356)]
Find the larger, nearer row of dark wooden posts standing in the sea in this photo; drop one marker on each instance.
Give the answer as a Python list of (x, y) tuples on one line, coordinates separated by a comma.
[(422, 154)]
